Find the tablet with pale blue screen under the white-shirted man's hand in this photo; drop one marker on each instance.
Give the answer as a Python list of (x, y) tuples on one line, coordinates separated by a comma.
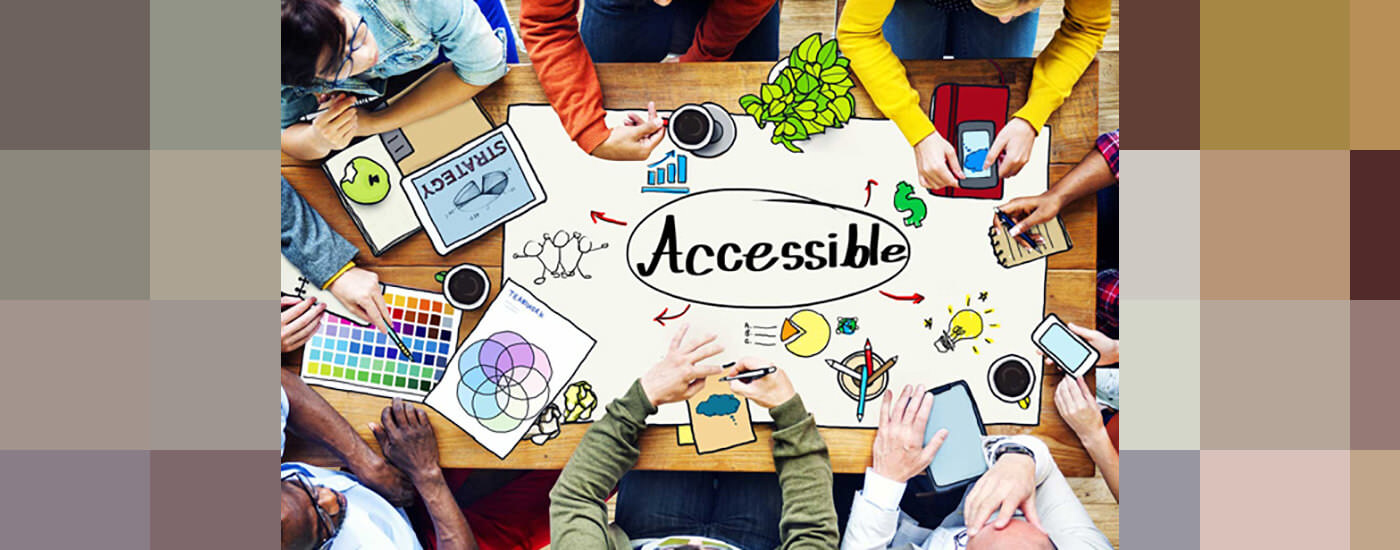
[(961, 458)]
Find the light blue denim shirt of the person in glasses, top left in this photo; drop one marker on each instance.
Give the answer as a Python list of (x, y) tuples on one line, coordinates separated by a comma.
[(409, 34)]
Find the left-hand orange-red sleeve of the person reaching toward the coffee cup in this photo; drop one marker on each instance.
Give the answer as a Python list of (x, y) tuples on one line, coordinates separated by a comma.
[(565, 69)]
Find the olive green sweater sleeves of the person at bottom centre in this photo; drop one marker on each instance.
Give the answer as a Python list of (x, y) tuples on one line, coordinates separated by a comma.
[(579, 514)]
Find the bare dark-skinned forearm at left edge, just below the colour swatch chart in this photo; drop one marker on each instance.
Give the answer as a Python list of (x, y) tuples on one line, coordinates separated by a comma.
[(313, 419)]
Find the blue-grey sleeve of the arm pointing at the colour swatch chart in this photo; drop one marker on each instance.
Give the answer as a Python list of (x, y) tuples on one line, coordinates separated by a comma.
[(309, 241)]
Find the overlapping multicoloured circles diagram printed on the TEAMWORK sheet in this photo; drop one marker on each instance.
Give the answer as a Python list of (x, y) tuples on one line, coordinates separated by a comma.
[(505, 381)]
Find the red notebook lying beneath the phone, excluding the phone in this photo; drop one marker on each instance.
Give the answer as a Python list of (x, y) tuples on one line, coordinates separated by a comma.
[(961, 103)]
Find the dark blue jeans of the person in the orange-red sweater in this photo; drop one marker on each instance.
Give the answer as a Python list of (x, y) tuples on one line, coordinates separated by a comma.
[(639, 31)]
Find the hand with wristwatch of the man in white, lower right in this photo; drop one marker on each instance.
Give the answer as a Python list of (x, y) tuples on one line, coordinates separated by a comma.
[(1009, 485)]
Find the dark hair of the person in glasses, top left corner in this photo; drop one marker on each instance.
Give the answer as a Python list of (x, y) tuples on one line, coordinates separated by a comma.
[(309, 27)]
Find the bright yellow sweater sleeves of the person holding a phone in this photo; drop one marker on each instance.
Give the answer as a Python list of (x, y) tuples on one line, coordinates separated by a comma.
[(1062, 64)]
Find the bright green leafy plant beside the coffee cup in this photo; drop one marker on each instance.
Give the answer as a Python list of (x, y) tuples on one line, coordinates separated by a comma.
[(807, 97)]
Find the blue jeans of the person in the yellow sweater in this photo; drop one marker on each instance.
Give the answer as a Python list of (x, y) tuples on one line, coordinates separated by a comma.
[(919, 30)]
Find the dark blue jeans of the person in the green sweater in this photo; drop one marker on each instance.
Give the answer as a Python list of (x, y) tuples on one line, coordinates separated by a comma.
[(738, 509)]
